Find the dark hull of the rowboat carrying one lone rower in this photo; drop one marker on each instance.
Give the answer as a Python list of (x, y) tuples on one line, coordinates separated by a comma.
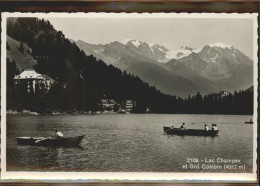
[(51, 141)]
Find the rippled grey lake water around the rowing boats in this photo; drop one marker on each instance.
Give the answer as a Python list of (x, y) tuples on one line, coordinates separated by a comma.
[(128, 142)]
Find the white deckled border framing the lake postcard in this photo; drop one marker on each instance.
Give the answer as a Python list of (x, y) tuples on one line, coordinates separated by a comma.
[(126, 176)]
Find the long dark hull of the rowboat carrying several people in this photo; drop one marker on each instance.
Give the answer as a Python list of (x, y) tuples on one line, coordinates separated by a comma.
[(190, 132)]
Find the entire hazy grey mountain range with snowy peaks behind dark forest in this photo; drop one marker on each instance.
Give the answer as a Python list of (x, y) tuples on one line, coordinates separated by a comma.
[(211, 68)]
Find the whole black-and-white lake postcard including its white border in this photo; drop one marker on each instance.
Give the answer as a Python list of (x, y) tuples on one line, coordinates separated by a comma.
[(147, 95)]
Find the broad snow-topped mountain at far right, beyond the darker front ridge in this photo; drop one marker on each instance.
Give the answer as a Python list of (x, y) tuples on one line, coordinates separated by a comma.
[(224, 65)]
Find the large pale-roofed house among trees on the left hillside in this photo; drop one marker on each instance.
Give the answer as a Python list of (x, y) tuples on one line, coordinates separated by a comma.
[(31, 82)]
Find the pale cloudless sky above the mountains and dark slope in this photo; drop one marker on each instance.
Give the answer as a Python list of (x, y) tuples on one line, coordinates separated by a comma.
[(169, 32)]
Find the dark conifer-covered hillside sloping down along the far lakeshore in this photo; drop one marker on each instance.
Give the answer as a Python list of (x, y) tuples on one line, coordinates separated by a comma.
[(81, 80)]
